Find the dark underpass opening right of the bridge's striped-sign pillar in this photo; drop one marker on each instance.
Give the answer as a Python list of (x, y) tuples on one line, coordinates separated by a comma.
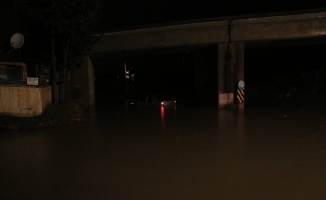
[(286, 74)]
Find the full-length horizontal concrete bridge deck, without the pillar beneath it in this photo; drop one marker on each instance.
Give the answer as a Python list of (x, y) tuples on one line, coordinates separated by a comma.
[(299, 26)]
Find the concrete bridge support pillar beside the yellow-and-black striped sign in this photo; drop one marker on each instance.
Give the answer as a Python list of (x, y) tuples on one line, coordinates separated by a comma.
[(230, 71)]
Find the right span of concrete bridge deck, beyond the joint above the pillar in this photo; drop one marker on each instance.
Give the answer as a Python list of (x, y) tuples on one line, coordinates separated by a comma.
[(301, 26)]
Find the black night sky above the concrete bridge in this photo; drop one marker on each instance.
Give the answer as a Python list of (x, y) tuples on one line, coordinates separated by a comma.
[(130, 13)]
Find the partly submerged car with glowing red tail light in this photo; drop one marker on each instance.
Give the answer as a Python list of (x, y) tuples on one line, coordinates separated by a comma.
[(164, 101)]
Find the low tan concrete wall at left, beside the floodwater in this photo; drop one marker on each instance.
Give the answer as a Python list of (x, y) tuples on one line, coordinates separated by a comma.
[(24, 101)]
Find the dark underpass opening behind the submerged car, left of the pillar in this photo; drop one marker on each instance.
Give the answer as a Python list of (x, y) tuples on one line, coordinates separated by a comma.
[(190, 75)]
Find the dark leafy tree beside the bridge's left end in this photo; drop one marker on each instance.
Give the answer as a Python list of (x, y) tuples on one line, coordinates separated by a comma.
[(67, 30)]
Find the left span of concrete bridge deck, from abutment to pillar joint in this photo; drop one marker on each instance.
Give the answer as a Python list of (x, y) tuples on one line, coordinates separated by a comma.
[(160, 37)]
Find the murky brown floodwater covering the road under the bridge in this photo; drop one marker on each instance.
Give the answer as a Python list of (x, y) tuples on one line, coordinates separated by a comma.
[(184, 154)]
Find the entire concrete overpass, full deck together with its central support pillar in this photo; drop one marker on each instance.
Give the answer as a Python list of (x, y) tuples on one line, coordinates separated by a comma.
[(230, 35)]
